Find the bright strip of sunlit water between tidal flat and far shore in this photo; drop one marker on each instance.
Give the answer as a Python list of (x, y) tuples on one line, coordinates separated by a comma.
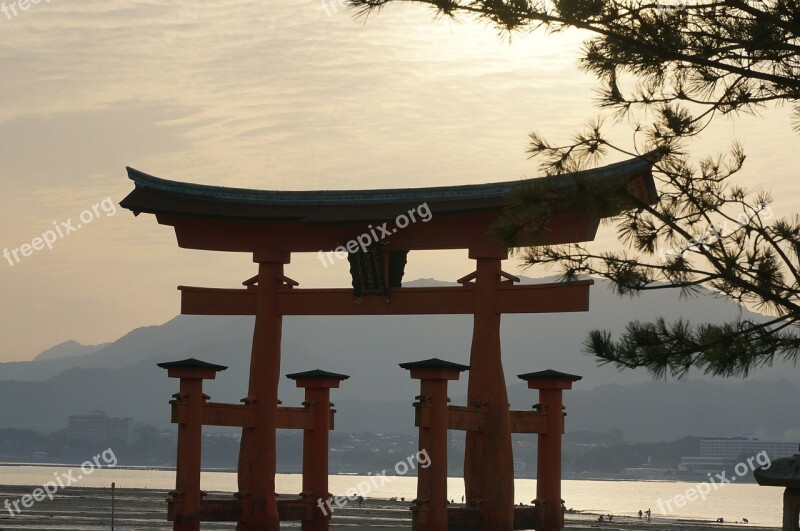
[(760, 505)]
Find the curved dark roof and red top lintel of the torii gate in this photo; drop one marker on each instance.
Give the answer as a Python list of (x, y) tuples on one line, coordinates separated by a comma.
[(238, 219)]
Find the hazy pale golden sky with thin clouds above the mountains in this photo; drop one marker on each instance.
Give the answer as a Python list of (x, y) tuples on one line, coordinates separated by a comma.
[(275, 95)]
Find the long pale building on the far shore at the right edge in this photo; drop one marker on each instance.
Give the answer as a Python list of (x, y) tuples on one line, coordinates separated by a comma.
[(720, 453)]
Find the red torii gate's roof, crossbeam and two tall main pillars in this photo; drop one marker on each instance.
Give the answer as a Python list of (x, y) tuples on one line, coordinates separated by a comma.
[(271, 225)]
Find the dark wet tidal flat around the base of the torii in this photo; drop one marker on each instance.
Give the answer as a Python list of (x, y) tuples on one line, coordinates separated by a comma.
[(89, 509)]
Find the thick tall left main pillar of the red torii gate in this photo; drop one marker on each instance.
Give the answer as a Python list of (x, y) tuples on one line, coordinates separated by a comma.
[(257, 455)]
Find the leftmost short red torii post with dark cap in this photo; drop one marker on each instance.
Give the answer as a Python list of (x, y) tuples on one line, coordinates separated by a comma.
[(184, 502)]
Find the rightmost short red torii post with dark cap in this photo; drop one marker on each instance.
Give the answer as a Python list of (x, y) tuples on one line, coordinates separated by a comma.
[(551, 385)]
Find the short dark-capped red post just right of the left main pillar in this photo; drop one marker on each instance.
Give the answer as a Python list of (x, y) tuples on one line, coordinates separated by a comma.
[(317, 385)]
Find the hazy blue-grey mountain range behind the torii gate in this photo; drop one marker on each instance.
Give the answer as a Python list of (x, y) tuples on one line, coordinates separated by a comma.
[(122, 378)]
